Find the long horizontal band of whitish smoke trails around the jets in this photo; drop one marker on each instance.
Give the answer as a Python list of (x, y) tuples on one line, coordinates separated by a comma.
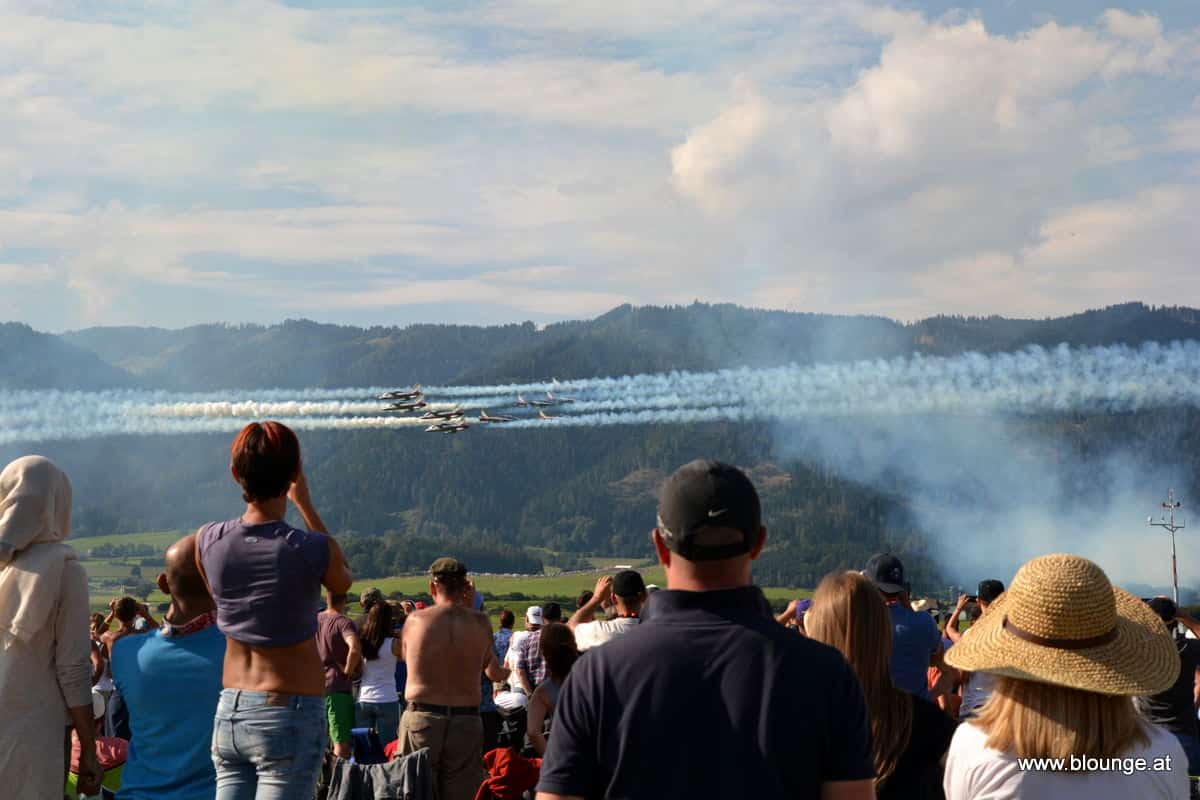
[(1035, 381)]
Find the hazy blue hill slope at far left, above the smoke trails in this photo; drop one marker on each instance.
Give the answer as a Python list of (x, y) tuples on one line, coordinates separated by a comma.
[(33, 360)]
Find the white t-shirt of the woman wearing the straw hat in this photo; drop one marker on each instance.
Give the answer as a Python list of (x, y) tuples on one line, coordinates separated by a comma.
[(975, 772)]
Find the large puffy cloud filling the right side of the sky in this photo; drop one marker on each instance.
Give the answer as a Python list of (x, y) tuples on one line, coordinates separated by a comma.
[(944, 170)]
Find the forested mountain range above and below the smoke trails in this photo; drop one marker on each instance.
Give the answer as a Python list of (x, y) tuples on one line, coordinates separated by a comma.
[(511, 501)]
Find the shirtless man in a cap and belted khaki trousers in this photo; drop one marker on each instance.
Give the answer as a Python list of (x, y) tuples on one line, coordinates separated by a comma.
[(447, 647)]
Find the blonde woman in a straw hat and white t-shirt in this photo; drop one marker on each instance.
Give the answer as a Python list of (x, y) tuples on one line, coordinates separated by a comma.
[(1070, 652)]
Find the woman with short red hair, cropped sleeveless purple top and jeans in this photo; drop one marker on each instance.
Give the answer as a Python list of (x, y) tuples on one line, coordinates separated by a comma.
[(266, 578)]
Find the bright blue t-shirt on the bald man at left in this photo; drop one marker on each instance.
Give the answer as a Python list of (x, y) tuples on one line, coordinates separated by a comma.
[(172, 687)]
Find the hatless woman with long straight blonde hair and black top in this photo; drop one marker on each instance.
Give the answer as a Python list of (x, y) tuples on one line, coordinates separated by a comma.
[(909, 735)]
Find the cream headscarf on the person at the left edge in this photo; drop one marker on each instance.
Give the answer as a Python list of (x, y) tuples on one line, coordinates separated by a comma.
[(35, 519)]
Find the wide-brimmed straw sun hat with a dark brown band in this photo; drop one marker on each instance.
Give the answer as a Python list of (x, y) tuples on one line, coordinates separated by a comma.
[(1063, 623)]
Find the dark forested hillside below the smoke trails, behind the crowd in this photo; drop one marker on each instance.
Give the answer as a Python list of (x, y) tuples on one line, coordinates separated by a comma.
[(399, 501)]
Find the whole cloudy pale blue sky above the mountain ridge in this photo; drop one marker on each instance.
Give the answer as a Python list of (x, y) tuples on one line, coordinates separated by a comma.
[(171, 164)]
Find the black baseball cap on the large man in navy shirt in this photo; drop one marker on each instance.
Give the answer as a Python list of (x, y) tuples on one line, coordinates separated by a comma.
[(703, 508)]
